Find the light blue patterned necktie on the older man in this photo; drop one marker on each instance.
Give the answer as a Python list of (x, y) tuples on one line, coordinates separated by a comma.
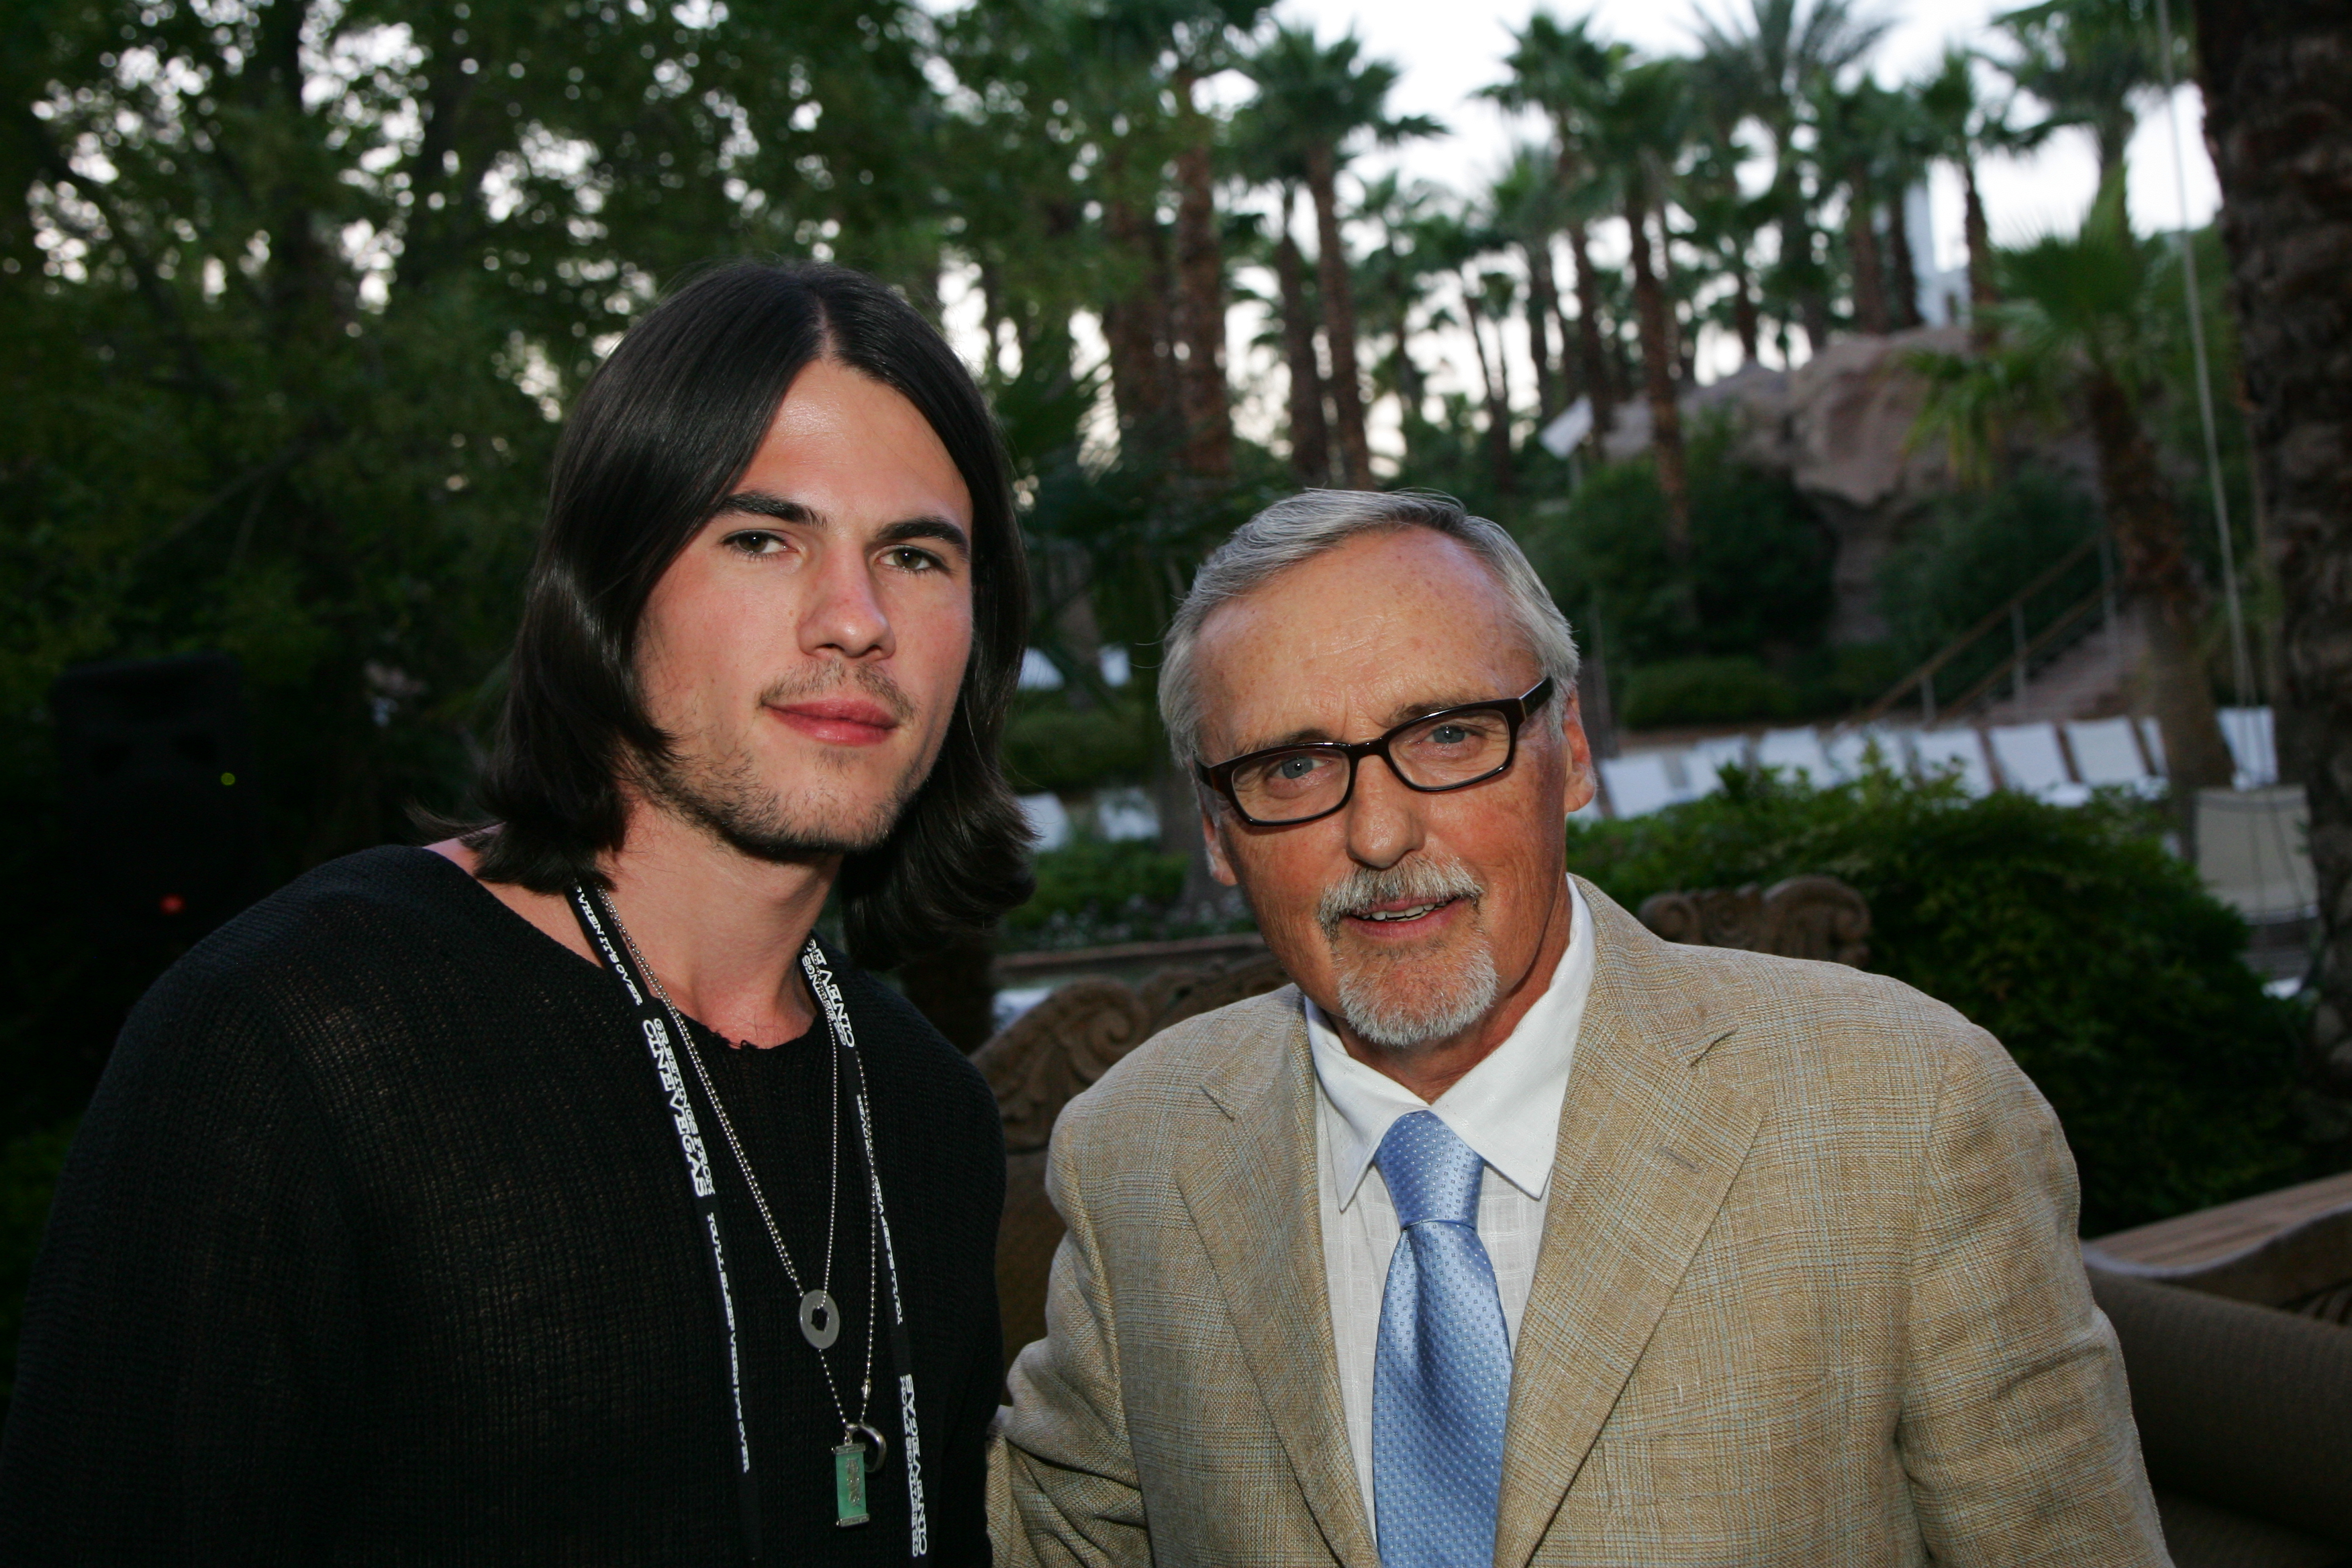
[(1441, 1386)]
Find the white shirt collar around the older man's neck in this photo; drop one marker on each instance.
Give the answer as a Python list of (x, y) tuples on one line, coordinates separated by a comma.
[(1506, 1108)]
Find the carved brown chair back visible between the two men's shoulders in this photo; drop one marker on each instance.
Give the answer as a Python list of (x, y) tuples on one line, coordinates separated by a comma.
[(1043, 1061)]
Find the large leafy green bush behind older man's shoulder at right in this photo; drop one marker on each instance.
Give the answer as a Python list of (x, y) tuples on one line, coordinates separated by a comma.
[(2090, 951)]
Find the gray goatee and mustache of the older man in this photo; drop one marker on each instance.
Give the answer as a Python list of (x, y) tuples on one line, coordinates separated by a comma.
[(1410, 1000)]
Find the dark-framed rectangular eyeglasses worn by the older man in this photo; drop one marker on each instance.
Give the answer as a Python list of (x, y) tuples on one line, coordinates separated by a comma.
[(1441, 751)]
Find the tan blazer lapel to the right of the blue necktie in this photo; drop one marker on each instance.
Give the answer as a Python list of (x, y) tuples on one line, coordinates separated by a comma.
[(1648, 1153)]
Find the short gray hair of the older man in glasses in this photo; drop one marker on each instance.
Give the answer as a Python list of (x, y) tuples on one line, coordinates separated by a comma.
[(1318, 521)]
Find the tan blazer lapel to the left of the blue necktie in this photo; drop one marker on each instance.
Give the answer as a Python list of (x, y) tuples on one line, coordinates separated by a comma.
[(1250, 1186)]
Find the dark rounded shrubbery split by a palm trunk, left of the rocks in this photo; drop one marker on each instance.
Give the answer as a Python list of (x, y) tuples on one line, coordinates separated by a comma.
[(1758, 575)]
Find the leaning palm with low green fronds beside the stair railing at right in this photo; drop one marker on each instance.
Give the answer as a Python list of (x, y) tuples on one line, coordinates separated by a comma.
[(2073, 335)]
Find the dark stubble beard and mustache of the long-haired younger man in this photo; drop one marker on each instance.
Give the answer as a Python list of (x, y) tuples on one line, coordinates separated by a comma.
[(716, 786)]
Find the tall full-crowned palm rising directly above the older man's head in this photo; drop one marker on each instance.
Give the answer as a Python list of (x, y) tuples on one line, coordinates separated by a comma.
[(1316, 102)]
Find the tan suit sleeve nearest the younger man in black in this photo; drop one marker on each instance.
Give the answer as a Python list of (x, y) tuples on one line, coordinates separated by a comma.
[(1062, 1477)]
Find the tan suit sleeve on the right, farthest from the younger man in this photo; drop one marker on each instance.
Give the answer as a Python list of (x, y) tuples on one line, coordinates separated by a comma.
[(2017, 1428)]
